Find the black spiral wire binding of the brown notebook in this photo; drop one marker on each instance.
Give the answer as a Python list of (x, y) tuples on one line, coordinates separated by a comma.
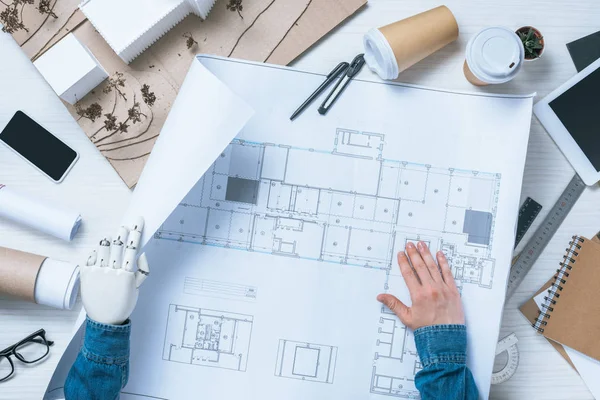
[(560, 279)]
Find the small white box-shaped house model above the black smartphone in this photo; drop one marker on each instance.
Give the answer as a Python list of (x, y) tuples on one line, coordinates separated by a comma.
[(74, 79)]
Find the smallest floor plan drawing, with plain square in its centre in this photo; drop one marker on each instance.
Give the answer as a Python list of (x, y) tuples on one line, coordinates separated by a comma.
[(306, 361)]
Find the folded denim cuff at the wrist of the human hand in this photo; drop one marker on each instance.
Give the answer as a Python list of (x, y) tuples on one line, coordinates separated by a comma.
[(442, 344)]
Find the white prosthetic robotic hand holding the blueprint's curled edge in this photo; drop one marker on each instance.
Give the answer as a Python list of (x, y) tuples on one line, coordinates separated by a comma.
[(110, 281)]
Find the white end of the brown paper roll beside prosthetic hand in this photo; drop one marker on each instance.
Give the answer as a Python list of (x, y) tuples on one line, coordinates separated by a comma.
[(57, 284)]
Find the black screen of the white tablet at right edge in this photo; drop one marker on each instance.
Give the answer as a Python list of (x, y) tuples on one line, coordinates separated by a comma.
[(579, 111)]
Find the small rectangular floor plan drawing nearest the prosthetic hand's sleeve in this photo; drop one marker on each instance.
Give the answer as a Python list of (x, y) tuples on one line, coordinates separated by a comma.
[(207, 337)]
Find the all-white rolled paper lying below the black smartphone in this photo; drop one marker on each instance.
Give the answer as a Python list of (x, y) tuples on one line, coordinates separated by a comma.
[(38, 214)]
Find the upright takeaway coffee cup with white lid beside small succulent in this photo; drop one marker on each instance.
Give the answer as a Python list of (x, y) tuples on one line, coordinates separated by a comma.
[(494, 55)]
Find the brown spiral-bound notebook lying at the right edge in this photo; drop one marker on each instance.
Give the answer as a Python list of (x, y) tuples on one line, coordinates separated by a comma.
[(572, 317)]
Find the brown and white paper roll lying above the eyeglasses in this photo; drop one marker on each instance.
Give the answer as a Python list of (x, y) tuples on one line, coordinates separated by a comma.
[(38, 279)]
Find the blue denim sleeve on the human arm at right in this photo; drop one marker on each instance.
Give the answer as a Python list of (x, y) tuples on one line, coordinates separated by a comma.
[(443, 353)]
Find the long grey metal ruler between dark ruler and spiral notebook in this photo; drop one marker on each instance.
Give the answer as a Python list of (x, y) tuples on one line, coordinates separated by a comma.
[(544, 233)]
